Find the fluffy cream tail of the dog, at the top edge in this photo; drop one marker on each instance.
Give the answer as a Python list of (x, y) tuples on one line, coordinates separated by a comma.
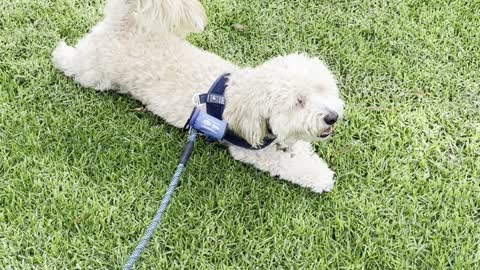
[(176, 16)]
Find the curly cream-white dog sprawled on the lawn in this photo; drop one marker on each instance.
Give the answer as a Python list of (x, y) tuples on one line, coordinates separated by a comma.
[(139, 48)]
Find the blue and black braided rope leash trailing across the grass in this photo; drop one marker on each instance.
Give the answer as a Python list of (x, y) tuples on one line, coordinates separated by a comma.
[(186, 153)]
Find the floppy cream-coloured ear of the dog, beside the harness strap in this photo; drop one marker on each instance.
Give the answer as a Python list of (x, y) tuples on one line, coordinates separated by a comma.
[(250, 125)]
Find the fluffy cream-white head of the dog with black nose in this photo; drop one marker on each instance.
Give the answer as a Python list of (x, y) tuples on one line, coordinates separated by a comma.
[(295, 97)]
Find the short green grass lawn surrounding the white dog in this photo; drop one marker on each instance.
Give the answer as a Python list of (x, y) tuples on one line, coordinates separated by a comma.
[(82, 173)]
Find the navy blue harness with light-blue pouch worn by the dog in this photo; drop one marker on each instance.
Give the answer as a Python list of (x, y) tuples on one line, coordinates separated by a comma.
[(212, 124)]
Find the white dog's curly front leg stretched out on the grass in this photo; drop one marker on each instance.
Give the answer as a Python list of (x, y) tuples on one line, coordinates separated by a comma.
[(298, 164)]
